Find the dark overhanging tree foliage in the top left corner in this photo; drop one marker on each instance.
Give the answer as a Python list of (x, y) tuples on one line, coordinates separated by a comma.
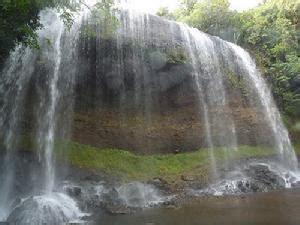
[(19, 20)]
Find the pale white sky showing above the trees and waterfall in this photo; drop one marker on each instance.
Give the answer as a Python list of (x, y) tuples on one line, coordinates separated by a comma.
[(151, 6)]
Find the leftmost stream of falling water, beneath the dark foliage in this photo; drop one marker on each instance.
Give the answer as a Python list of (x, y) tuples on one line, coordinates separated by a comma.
[(14, 84)]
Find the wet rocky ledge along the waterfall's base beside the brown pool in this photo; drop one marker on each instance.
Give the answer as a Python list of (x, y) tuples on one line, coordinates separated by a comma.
[(98, 194)]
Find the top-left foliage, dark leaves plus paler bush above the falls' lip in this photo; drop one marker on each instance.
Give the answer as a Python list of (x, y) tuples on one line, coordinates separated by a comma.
[(19, 19)]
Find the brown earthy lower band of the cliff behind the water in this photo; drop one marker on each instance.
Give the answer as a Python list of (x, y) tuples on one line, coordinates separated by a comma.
[(175, 125)]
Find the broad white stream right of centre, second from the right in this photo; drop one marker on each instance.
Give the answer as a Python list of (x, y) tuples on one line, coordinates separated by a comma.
[(218, 124)]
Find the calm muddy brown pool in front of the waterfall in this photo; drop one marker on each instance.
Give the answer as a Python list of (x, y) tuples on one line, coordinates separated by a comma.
[(273, 208)]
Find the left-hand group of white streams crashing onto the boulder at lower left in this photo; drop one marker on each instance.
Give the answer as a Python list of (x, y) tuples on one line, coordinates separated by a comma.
[(37, 72)]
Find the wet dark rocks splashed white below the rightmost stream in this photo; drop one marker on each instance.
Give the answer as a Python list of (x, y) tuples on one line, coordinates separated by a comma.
[(253, 177)]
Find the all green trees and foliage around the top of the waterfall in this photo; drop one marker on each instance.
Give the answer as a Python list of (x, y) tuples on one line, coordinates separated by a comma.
[(270, 31)]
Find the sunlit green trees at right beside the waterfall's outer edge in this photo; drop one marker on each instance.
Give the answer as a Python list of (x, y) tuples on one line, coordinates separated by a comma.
[(271, 31)]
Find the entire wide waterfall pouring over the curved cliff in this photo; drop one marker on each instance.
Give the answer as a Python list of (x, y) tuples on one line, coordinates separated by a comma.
[(146, 69)]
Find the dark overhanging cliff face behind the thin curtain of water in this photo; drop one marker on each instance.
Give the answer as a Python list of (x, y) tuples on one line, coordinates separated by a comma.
[(138, 90)]
